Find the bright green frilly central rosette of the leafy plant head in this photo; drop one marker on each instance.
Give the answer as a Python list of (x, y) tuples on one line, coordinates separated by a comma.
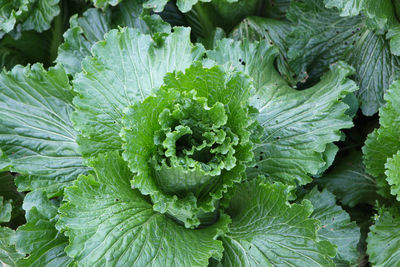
[(190, 142)]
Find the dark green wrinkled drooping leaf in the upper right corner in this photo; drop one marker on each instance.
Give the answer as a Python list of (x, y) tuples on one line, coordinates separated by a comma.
[(322, 37)]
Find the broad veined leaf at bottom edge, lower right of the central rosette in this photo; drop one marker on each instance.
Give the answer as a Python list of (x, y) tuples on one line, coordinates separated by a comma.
[(267, 231)]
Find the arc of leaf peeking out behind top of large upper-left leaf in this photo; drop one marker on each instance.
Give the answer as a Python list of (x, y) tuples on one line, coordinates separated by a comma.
[(90, 28)]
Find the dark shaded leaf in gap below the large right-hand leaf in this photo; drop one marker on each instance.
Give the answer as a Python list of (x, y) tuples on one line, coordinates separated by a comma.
[(349, 181)]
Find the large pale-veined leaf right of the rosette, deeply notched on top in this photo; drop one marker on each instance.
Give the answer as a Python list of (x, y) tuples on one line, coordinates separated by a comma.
[(297, 124)]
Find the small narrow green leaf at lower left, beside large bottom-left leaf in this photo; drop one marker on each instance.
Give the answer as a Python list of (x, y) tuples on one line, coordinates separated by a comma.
[(38, 237)]
